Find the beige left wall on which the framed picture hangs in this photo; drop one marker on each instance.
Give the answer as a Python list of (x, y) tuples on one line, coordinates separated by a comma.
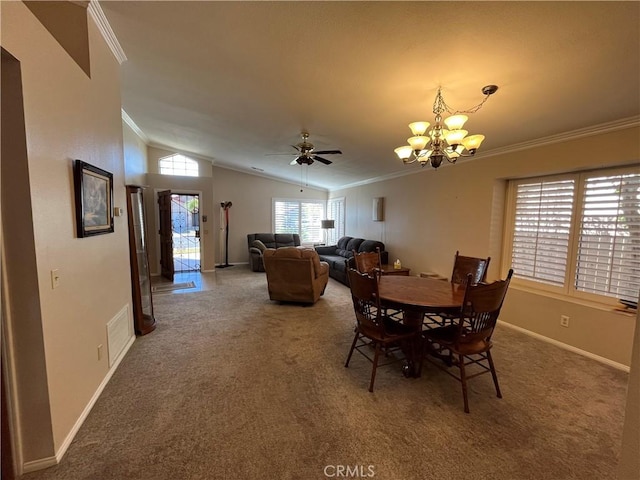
[(68, 116)]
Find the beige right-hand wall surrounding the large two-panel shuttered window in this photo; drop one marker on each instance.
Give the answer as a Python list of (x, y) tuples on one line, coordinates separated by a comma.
[(433, 213)]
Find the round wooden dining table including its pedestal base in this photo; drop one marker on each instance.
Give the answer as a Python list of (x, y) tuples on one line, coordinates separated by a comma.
[(415, 297)]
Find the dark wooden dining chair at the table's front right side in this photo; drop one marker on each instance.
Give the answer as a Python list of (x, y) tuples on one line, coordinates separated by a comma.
[(468, 342)]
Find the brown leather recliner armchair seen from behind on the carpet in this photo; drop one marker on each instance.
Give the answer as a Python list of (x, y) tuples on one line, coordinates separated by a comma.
[(295, 274)]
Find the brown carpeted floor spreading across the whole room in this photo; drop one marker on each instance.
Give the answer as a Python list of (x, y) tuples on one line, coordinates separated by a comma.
[(233, 386)]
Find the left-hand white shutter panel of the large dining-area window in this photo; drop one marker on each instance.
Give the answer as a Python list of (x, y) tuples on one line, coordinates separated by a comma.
[(541, 230)]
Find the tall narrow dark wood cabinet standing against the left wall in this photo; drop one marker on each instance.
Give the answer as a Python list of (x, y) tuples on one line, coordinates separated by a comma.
[(143, 319)]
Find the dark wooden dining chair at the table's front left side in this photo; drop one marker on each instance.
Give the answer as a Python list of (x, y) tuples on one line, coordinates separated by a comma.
[(373, 328)]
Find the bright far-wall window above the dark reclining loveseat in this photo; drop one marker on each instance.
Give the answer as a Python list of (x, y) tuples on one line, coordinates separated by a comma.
[(299, 216)]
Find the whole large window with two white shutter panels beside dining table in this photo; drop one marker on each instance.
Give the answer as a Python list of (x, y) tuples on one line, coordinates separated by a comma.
[(578, 234)]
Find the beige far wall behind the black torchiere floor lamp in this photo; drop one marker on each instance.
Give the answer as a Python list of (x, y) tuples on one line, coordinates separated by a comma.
[(251, 212)]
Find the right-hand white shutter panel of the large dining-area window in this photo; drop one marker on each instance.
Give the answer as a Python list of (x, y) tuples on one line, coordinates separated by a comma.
[(609, 243)]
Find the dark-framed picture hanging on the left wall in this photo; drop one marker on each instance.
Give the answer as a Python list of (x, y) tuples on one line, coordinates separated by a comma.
[(94, 199)]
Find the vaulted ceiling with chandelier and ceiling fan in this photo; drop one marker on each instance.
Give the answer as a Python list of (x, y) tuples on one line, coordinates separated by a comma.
[(233, 81)]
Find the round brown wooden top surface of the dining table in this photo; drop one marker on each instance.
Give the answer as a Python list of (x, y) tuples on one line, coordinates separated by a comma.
[(428, 294)]
